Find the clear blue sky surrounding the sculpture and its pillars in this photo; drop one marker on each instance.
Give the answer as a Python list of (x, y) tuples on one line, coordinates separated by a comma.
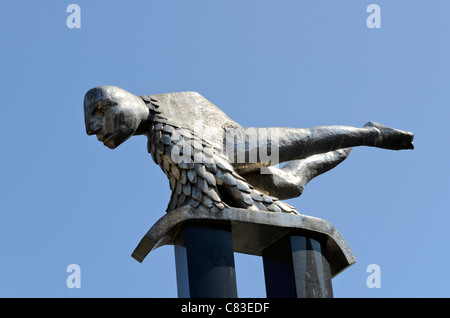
[(67, 199)]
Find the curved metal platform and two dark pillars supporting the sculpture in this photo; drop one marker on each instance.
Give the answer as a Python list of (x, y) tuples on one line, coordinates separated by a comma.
[(301, 254)]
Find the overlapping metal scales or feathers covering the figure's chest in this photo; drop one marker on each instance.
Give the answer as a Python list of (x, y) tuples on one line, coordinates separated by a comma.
[(199, 173)]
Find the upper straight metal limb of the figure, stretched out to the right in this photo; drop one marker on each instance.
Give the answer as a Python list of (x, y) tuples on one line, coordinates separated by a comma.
[(288, 144)]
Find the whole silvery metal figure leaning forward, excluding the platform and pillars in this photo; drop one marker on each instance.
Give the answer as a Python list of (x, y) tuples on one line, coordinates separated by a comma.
[(188, 137)]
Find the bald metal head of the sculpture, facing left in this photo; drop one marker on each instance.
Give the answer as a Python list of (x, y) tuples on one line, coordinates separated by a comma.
[(114, 115)]
